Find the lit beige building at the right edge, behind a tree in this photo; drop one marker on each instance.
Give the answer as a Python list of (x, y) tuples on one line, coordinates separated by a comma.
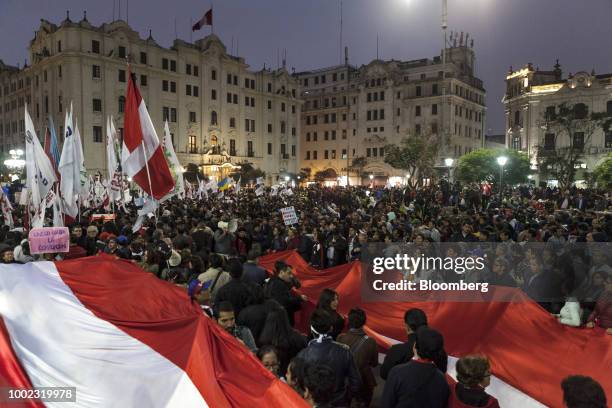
[(532, 94)]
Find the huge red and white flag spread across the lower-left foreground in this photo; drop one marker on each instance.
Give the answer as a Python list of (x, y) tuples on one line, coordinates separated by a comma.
[(122, 338)]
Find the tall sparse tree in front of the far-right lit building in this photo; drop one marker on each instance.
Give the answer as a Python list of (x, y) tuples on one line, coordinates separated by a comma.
[(568, 131)]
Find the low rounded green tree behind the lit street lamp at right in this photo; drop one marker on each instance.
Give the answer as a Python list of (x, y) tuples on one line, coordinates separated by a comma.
[(481, 165)]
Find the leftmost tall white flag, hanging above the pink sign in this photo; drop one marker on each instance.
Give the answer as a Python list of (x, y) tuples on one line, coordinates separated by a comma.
[(40, 173)]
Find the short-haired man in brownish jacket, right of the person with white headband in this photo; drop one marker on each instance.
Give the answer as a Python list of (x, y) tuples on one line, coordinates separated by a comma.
[(365, 355)]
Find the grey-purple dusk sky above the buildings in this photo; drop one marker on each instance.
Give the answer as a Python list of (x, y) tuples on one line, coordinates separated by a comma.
[(506, 32)]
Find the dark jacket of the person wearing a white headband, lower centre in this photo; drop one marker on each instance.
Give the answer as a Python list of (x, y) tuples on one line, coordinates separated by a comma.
[(338, 357)]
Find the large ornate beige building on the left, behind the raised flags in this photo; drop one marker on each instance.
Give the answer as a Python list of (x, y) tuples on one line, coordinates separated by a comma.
[(221, 113)]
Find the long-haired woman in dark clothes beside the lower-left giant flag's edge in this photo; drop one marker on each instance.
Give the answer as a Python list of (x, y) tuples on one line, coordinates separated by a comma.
[(278, 332)]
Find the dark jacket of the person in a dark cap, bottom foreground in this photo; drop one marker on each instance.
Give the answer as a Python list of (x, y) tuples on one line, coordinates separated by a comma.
[(416, 384)]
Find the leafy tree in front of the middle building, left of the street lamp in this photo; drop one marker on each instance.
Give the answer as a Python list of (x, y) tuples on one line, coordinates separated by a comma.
[(416, 155)]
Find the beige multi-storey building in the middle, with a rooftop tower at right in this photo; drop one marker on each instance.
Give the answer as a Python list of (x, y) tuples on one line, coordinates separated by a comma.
[(352, 112)]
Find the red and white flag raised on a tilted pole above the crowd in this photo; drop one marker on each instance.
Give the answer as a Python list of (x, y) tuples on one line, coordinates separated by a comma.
[(141, 147)]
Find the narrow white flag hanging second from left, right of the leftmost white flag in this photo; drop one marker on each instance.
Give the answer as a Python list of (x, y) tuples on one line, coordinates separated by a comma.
[(70, 168)]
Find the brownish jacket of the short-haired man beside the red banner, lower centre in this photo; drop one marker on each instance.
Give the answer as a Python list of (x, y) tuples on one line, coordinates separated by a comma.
[(365, 354)]
